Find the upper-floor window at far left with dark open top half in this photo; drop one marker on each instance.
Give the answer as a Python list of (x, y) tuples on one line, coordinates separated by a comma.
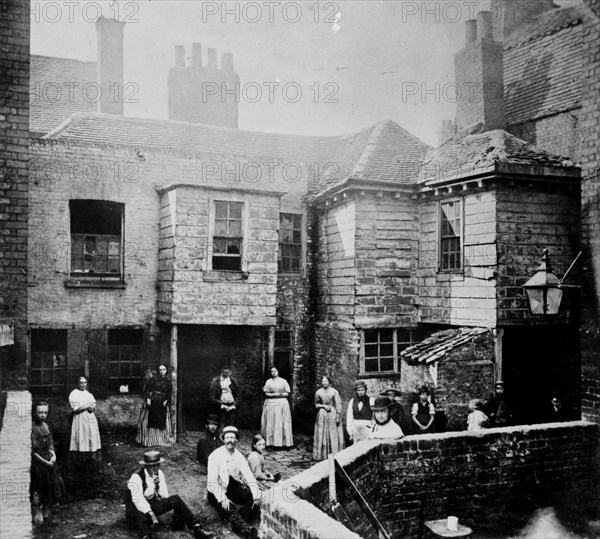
[(96, 238)]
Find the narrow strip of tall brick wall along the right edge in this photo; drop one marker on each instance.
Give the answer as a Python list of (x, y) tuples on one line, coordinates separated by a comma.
[(590, 202)]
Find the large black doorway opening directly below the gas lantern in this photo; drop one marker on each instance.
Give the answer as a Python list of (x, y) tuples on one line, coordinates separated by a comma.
[(538, 360)]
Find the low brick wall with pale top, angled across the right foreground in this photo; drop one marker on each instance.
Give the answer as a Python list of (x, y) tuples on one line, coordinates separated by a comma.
[(492, 480)]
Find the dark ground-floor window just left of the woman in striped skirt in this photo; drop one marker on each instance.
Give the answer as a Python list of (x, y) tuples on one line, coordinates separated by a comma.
[(125, 359)]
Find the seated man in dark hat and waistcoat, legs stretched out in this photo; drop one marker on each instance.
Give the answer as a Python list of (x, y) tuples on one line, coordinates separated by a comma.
[(148, 498)]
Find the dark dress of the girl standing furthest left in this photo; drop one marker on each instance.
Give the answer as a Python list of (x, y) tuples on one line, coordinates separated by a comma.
[(45, 480)]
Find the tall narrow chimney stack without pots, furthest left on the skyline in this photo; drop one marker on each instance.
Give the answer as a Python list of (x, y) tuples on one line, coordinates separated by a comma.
[(110, 65)]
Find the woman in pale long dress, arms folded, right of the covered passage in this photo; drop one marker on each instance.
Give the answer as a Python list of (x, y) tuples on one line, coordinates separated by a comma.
[(276, 417)]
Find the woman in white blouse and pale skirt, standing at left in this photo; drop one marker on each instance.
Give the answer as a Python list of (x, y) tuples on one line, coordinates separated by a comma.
[(85, 436)]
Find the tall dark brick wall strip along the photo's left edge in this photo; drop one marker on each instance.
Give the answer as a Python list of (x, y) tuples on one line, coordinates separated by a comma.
[(14, 178)]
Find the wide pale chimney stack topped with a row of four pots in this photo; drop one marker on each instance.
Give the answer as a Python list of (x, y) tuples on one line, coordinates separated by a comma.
[(203, 93)]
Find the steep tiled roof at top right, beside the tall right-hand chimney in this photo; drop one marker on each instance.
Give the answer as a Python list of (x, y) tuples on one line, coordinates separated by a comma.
[(542, 67)]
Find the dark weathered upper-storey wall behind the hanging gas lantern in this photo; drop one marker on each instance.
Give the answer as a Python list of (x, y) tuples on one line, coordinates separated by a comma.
[(528, 221)]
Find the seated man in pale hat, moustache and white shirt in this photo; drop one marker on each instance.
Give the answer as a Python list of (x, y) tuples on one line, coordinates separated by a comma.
[(230, 481)]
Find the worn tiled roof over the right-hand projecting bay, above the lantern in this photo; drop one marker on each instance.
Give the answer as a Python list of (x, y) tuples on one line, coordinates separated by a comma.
[(473, 149)]
